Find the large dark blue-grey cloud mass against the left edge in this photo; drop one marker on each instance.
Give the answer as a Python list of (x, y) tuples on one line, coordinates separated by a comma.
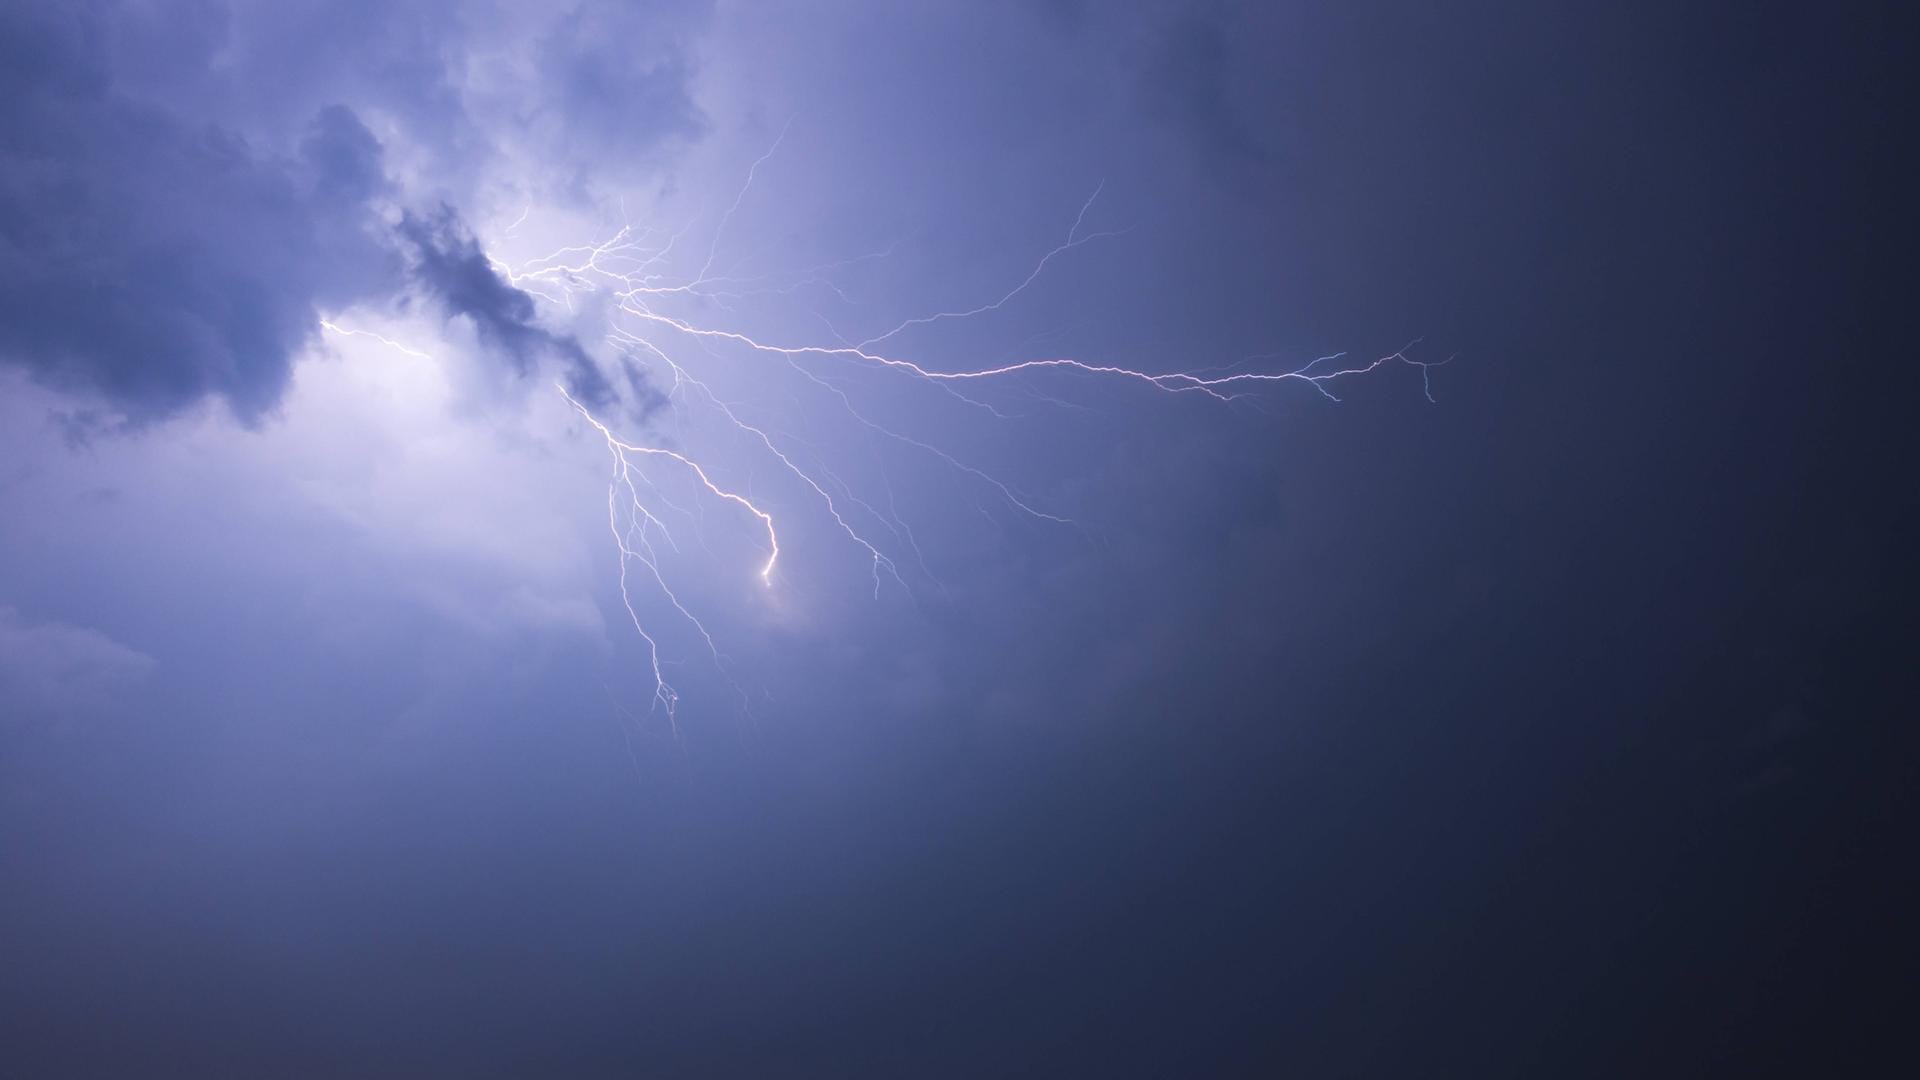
[(158, 262)]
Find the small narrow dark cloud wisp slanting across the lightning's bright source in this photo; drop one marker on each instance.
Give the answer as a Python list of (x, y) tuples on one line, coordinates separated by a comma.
[(452, 268)]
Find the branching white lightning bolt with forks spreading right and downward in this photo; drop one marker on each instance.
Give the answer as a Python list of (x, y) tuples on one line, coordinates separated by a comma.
[(633, 270)]
